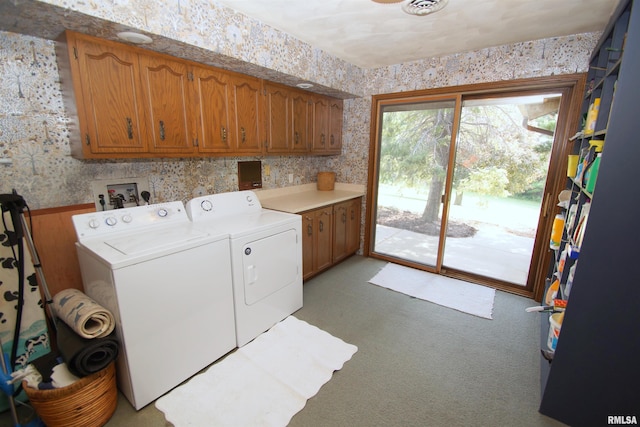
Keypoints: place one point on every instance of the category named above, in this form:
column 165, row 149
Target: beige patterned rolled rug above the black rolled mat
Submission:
column 82, row 314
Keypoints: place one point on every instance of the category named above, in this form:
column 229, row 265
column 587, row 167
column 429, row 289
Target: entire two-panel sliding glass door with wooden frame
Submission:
column 459, row 183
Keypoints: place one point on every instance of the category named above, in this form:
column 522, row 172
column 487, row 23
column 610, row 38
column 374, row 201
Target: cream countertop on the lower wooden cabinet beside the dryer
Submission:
column 300, row 198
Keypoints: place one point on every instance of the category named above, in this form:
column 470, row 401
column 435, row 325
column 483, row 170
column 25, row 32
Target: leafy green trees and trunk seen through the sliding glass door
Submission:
column 495, row 155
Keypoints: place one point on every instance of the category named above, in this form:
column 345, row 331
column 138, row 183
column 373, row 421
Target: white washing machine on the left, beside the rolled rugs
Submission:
column 169, row 287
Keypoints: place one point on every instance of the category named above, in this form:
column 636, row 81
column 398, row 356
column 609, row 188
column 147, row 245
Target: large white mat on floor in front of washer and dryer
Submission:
column 264, row 383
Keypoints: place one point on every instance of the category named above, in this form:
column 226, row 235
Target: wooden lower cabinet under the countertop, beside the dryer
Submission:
column 329, row 235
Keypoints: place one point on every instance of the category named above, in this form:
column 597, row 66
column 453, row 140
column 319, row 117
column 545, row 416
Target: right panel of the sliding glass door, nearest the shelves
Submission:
column 500, row 170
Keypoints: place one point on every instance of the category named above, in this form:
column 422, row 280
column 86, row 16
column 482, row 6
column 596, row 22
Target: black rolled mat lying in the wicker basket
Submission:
column 85, row 356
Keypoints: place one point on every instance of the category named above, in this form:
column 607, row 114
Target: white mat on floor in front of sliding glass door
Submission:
column 452, row 293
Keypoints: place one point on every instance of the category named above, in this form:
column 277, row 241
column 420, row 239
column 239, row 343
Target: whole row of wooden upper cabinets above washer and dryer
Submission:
column 135, row 103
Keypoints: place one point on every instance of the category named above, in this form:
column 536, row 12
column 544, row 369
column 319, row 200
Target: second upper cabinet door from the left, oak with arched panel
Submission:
column 166, row 92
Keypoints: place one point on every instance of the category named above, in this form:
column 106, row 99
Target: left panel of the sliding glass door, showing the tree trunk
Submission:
column 415, row 153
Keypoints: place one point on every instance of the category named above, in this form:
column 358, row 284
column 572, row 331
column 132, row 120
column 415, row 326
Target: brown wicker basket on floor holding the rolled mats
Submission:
column 89, row 402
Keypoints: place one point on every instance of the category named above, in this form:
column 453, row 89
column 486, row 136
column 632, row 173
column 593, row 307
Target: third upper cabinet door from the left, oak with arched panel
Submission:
column 212, row 96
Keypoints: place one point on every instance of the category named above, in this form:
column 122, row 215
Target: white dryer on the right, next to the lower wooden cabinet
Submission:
column 266, row 257
